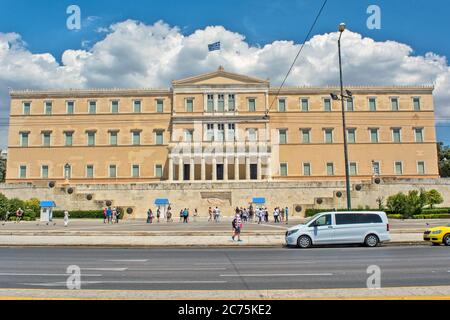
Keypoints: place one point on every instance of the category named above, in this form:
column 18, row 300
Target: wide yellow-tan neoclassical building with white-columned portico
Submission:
column 217, row 127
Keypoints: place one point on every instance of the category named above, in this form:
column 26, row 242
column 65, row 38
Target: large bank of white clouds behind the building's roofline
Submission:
column 134, row 54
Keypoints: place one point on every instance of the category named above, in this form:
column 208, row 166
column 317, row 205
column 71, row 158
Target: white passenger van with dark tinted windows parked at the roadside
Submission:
column 340, row 227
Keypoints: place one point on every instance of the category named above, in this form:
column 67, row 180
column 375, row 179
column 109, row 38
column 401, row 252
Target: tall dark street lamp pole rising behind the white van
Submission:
column 344, row 97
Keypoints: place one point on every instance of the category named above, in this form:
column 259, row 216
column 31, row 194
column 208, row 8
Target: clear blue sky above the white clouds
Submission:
column 423, row 25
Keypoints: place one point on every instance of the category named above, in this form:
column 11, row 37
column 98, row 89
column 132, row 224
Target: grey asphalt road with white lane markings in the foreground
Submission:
column 223, row 269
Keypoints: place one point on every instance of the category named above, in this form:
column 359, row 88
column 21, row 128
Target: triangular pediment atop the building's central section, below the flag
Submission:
column 220, row 77
